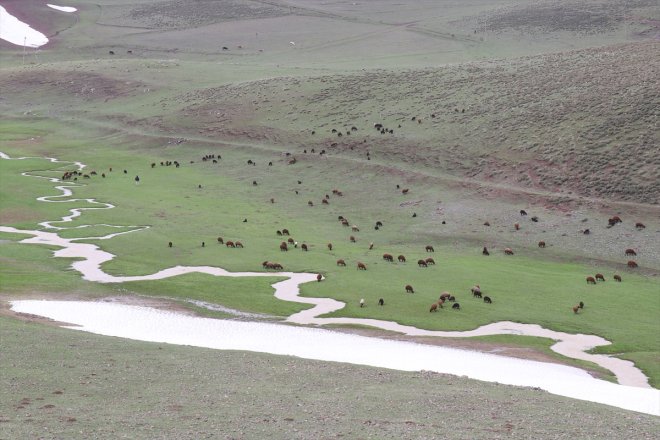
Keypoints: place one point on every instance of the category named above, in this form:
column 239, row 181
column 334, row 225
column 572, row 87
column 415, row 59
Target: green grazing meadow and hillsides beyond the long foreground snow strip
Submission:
column 515, row 107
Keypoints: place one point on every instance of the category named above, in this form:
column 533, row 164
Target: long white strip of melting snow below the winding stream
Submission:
column 149, row 324
